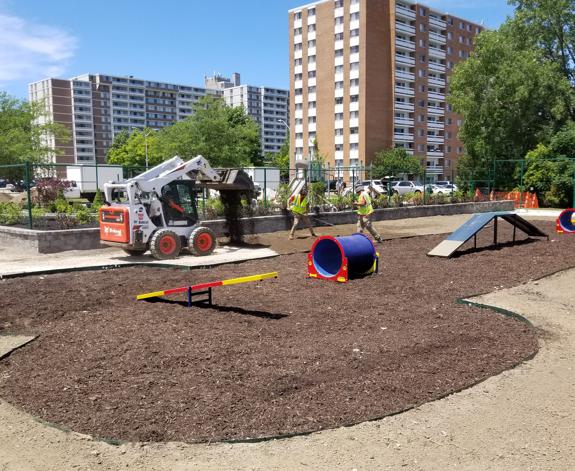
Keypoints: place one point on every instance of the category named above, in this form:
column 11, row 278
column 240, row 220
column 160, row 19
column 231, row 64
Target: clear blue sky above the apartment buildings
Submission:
column 169, row 40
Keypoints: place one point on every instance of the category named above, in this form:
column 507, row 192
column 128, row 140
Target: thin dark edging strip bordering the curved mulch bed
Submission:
column 461, row 301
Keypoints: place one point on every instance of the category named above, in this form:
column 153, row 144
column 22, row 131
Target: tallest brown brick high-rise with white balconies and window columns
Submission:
column 367, row 75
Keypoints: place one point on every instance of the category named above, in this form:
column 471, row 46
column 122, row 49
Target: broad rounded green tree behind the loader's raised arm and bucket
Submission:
column 226, row 136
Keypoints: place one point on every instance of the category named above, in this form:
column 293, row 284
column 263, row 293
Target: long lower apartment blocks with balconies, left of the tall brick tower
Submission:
column 96, row 107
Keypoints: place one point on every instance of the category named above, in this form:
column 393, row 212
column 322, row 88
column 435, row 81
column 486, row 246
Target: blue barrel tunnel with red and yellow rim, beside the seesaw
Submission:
column 342, row 258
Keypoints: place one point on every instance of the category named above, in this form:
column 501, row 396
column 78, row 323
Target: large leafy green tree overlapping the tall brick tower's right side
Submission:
column 510, row 98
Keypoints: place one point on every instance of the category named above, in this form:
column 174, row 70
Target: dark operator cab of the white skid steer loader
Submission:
column 179, row 203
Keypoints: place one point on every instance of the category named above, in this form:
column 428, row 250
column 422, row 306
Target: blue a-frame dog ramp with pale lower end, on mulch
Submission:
column 478, row 222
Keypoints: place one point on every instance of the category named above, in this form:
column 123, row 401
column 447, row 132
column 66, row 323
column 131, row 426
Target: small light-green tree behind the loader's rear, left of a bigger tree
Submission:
column 129, row 150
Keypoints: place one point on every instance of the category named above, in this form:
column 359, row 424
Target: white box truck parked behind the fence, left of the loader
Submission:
column 84, row 179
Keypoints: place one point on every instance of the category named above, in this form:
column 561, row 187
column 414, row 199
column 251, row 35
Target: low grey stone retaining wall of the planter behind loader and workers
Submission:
column 86, row 239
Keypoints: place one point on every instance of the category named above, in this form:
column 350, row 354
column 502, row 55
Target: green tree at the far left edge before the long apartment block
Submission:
column 22, row 137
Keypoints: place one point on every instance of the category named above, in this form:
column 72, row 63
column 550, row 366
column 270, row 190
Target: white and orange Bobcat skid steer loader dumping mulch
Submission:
column 157, row 210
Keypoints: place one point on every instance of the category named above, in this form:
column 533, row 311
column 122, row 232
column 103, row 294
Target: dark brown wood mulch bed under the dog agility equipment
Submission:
column 284, row 356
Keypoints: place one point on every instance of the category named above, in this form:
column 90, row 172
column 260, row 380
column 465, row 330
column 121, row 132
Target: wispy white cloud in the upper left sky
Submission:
column 30, row 51
